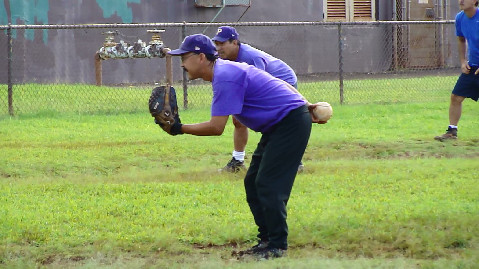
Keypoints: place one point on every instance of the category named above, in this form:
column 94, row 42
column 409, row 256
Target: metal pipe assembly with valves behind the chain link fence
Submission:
column 122, row 50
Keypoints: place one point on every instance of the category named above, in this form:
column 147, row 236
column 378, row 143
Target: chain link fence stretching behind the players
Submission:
column 341, row 63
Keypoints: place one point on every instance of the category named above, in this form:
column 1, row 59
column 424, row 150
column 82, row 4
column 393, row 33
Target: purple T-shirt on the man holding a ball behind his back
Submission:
column 254, row 97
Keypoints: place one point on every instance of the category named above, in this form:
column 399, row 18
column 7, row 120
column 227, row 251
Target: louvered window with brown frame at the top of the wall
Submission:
column 349, row 10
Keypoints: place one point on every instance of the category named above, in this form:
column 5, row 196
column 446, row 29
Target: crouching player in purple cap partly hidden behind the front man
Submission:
column 230, row 48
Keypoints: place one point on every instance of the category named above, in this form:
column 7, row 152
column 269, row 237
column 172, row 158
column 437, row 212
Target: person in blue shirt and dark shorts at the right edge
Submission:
column 467, row 85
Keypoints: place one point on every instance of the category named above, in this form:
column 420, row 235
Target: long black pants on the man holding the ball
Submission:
column 271, row 175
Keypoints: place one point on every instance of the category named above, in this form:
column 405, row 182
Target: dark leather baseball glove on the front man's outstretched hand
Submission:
column 164, row 109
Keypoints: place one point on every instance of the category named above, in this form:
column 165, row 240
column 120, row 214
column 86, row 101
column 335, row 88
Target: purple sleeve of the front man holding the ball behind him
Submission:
column 228, row 98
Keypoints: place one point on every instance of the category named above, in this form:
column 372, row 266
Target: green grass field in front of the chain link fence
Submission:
column 114, row 191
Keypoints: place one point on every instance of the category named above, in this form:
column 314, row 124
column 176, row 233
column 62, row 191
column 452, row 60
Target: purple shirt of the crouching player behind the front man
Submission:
column 266, row 62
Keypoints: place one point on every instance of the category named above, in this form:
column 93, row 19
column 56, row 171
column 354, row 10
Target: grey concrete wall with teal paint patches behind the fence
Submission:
column 67, row 55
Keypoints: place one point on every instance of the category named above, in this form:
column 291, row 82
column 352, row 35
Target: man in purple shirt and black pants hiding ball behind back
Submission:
column 264, row 104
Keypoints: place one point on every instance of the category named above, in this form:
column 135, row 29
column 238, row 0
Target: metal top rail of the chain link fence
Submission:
column 203, row 24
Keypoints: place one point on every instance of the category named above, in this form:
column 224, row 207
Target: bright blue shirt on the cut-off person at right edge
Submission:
column 469, row 29
